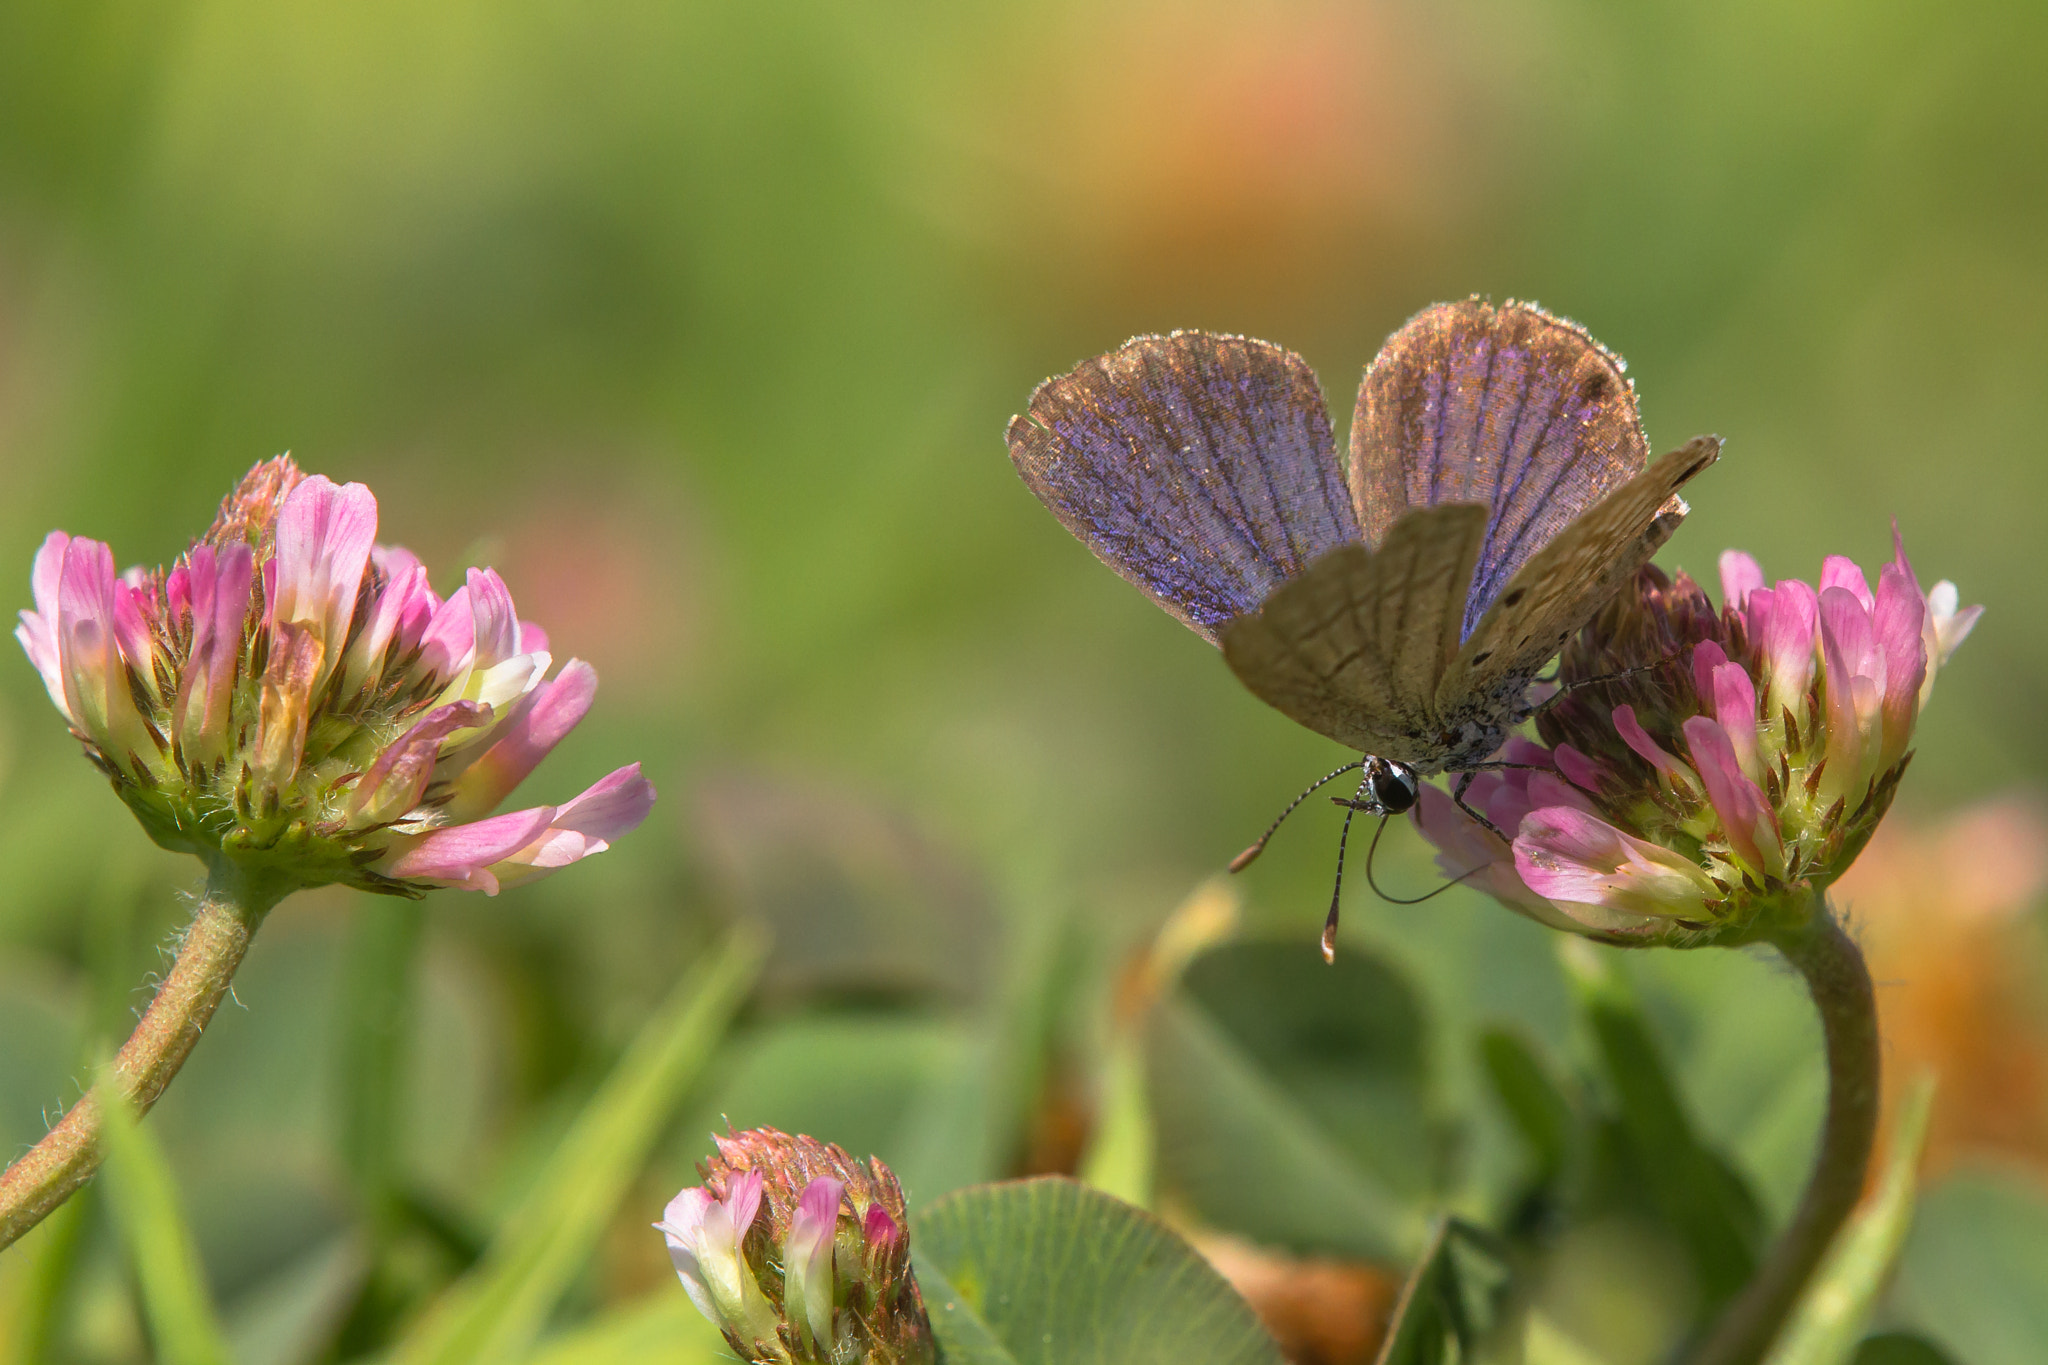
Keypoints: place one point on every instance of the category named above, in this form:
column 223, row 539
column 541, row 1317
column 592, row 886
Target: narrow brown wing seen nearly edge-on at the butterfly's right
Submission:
column 1572, row 578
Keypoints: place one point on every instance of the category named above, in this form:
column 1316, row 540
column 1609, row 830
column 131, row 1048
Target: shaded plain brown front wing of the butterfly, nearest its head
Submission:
column 1357, row 646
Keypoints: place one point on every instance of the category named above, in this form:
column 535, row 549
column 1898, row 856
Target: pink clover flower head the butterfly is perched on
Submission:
column 1709, row 764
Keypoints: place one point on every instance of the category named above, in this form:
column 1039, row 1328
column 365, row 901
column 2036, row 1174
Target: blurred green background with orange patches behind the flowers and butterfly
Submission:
column 703, row 320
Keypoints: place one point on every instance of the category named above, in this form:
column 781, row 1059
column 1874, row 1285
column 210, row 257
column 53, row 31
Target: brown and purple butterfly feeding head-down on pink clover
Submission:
column 1498, row 492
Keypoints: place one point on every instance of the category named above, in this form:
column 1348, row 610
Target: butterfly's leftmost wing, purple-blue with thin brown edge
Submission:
column 1201, row 468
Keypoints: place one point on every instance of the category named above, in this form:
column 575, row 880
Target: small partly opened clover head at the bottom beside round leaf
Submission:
column 798, row 1253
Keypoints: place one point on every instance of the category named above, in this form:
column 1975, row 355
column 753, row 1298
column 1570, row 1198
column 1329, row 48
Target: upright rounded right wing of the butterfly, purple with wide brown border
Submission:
column 1508, row 408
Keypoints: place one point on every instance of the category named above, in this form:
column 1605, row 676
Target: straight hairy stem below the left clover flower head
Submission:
column 208, row 959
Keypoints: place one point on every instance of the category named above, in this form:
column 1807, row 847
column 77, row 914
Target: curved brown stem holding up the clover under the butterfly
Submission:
column 1840, row 985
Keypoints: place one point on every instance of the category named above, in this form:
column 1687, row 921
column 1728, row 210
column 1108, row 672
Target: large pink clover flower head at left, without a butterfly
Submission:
column 294, row 699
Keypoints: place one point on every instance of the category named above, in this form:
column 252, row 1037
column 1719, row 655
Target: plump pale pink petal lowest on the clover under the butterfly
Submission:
column 1580, row 861
